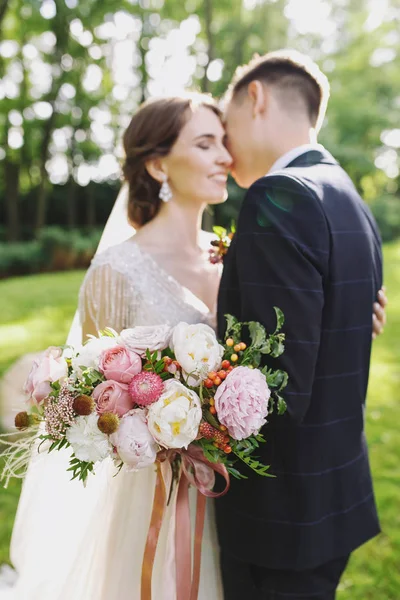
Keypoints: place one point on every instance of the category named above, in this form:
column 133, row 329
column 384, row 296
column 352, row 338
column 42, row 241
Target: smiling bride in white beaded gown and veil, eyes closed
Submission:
column 71, row 543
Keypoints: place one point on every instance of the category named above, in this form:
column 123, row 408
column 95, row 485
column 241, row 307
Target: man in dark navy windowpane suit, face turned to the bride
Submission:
column 307, row 243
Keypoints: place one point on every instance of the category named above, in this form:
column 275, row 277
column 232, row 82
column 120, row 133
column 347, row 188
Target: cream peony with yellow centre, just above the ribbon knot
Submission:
column 174, row 419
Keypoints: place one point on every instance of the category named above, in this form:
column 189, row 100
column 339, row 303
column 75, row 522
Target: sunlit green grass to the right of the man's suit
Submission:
column 373, row 572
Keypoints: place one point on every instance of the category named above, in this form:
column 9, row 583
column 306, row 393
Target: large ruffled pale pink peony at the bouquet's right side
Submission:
column 241, row 402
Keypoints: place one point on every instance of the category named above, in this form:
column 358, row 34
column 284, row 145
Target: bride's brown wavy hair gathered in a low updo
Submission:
column 152, row 132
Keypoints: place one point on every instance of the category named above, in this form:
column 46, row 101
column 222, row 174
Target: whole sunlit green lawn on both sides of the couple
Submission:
column 37, row 312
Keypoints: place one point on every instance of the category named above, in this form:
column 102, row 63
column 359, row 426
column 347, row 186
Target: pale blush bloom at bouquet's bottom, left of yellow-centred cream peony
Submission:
column 135, row 444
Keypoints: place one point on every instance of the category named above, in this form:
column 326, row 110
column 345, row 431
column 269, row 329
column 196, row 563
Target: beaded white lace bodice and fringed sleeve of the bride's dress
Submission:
column 125, row 286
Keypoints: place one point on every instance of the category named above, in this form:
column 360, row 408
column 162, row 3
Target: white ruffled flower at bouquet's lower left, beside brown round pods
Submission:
column 87, row 441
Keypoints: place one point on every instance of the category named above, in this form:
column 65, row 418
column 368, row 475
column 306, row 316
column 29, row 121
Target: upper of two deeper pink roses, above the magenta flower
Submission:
column 120, row 364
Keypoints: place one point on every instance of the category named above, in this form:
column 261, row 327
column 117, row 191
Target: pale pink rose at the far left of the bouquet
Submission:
column 49, row 367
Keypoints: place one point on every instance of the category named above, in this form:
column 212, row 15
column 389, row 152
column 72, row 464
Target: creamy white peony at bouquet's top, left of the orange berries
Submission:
column 197, row 351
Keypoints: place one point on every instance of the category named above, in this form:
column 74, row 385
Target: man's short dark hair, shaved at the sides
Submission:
column 293, row 74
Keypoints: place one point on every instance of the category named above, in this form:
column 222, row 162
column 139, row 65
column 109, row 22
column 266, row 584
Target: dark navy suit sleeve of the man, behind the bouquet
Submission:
column 283, row 257
